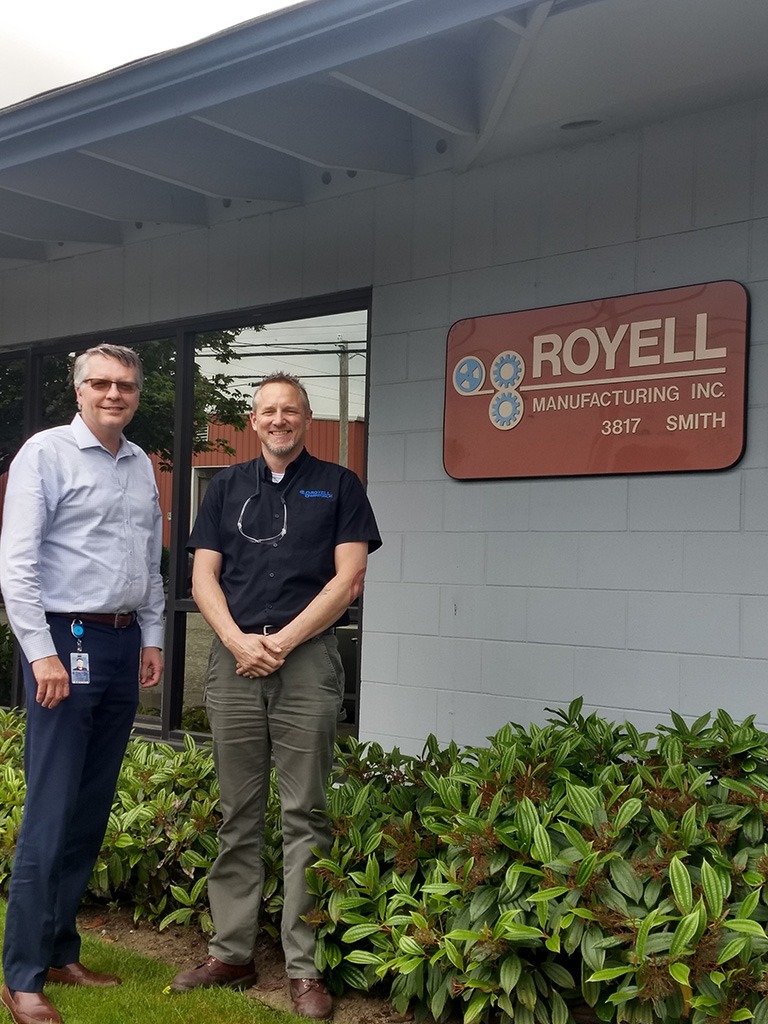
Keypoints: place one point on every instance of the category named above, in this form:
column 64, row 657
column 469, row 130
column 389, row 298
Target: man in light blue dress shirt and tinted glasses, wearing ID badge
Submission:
column 80, row 575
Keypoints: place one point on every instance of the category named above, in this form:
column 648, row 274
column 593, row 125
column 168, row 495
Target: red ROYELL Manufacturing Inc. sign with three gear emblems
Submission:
column 651, row 383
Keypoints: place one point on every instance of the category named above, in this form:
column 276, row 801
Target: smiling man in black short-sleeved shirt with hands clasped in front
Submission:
column 281, row 548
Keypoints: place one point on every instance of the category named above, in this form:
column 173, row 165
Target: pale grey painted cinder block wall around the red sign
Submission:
column 493, row 602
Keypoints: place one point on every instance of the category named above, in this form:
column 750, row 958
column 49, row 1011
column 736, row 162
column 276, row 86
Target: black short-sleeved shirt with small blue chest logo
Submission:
column 272, row 582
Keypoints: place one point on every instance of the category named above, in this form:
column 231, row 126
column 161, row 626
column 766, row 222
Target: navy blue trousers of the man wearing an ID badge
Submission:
column 73, row 754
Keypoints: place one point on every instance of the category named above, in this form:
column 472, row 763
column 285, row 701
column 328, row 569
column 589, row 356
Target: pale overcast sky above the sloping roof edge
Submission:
column 46, row 45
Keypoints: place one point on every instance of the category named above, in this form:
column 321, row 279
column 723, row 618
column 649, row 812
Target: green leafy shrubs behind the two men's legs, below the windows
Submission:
column 161, row 839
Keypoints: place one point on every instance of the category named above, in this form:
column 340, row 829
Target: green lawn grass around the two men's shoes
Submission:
column 142, row 997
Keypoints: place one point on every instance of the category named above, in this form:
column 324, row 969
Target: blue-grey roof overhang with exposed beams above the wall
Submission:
column 332, row 97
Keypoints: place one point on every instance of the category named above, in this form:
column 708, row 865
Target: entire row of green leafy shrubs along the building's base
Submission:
column 580, row 863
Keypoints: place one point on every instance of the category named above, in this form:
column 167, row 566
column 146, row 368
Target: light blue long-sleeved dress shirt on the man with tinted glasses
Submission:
column 82, row 532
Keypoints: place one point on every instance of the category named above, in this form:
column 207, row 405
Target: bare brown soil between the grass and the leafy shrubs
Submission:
column 186, row 948
